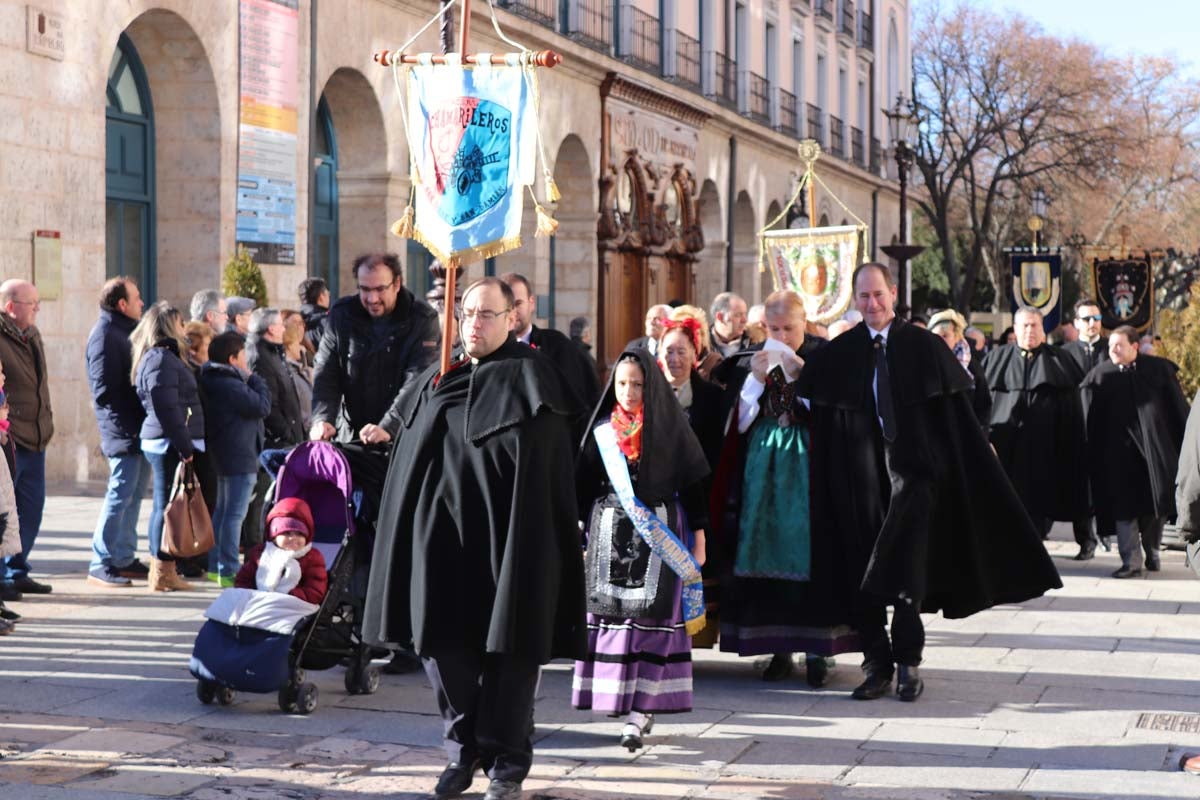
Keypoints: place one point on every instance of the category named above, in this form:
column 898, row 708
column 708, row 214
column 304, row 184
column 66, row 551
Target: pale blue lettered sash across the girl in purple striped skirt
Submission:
column 662, row 540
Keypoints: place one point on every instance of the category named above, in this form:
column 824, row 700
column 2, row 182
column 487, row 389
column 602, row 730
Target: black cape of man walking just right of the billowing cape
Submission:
column 1037, row 428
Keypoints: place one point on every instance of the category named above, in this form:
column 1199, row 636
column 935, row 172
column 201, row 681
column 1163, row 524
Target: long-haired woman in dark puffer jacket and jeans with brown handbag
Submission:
column 175, row 426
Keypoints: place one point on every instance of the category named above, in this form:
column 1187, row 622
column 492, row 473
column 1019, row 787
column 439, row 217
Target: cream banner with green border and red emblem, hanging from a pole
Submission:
column 818, row 264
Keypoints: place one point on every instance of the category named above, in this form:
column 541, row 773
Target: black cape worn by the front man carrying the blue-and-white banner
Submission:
column 477, row 544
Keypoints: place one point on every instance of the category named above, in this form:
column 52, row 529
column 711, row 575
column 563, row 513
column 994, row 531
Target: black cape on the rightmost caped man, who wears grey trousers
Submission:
column 1136, row 422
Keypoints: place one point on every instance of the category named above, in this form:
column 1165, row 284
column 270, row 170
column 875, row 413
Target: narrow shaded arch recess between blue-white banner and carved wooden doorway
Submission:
column 574, row 251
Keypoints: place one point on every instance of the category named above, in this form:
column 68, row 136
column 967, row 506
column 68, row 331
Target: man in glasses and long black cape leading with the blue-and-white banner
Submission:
column 478, row 554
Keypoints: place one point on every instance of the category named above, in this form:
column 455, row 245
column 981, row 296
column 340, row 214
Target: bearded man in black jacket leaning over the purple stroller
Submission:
column 374, row 346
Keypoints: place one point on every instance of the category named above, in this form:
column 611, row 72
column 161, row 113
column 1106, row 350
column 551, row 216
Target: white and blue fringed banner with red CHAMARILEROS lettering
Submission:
column 472, row 131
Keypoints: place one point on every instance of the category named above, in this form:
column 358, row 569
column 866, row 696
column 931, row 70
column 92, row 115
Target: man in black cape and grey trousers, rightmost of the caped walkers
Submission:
column 1136, row 419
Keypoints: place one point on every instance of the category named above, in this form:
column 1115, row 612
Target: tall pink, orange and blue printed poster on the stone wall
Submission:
column 267, row 130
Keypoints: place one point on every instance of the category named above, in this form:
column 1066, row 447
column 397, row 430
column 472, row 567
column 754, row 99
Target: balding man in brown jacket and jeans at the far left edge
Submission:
column 32, row 423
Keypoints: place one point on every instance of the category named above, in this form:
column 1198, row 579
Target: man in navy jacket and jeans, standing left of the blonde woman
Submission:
column 119, row 417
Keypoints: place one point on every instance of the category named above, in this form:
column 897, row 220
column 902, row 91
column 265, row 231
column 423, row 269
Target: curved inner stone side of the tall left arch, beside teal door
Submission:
column 188, row 154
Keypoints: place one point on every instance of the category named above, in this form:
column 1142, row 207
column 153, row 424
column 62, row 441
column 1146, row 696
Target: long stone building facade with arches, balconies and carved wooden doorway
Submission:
column 671, row 133
